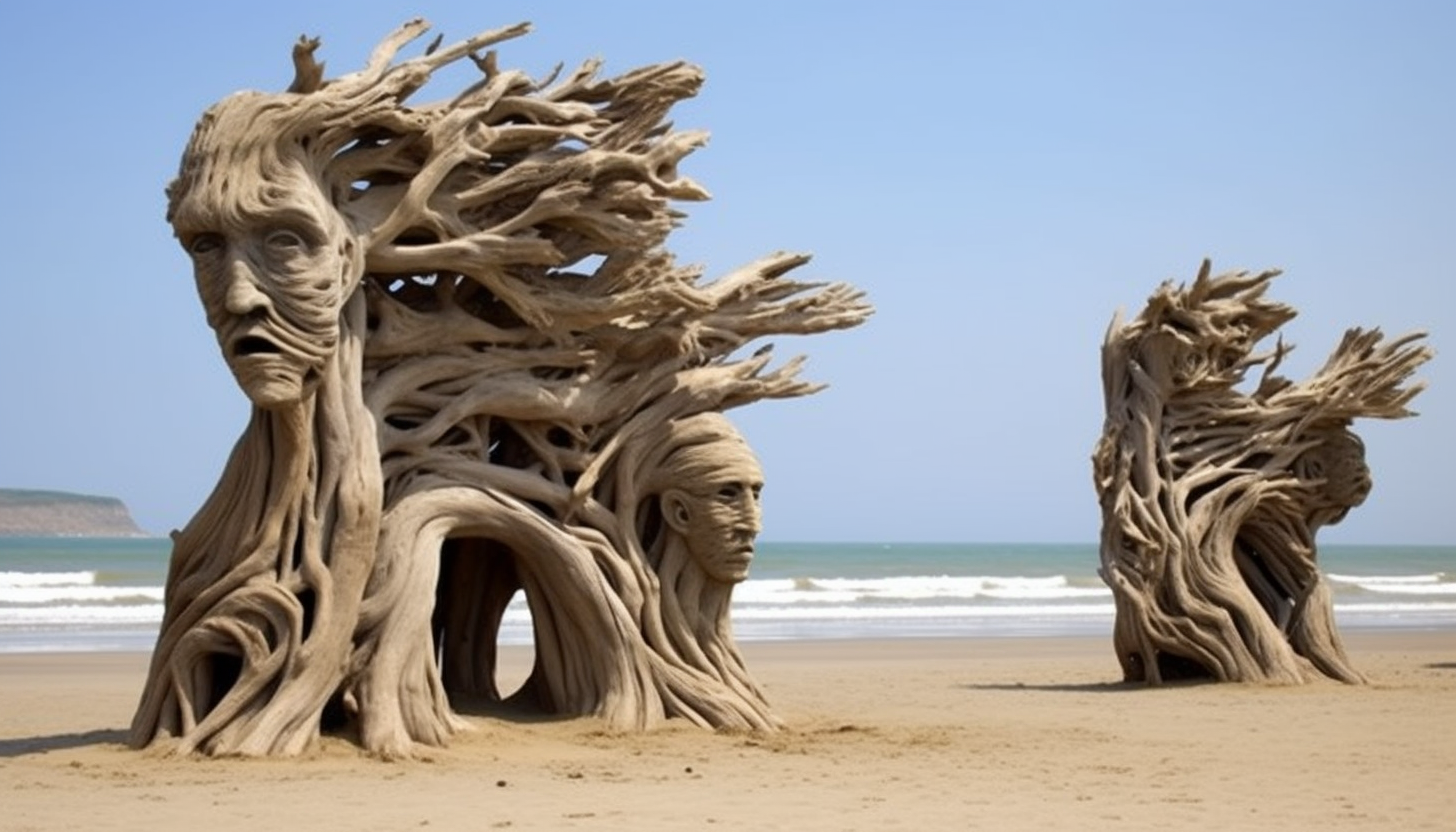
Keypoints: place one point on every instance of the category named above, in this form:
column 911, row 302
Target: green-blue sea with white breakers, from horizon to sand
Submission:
column 79, row 594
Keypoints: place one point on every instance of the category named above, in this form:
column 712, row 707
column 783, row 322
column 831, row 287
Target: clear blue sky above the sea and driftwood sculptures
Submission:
column 1000, row 177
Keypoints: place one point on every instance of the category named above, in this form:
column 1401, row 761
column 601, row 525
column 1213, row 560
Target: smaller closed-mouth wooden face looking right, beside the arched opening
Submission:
column 713, row 502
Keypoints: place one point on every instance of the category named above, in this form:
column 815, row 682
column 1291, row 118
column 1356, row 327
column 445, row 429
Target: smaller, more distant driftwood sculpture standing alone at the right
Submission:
column 1212, row 496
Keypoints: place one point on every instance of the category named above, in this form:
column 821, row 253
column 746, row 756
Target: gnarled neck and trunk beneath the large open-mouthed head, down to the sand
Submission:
column 267, row 581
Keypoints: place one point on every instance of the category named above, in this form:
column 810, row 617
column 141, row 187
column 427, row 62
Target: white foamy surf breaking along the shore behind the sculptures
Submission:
column 65, row 610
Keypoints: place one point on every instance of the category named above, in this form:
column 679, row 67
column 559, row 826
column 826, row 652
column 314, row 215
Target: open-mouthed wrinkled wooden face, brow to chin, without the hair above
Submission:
column 273, row 263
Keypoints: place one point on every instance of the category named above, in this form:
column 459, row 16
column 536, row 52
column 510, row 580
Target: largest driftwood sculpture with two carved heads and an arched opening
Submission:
column 474, row 371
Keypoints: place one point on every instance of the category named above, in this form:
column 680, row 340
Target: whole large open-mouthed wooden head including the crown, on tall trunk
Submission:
column 272, row 257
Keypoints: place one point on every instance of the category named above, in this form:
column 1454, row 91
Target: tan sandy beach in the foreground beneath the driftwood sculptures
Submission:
column 1007, row 734
